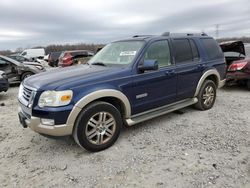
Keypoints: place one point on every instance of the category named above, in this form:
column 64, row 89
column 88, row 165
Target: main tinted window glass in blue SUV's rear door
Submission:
column 183, row 52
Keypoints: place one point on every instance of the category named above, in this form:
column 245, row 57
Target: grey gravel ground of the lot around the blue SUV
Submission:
column 195, row 149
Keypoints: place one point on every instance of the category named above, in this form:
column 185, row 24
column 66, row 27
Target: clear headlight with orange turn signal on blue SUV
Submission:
column 55, row 98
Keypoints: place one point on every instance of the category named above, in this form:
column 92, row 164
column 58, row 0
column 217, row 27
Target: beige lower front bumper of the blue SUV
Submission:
column 35, row 124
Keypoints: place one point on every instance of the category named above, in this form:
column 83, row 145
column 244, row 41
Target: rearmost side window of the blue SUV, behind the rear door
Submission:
column 212, row 48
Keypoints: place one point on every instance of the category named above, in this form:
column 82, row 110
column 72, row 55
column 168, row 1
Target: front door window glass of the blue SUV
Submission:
column 159, row 51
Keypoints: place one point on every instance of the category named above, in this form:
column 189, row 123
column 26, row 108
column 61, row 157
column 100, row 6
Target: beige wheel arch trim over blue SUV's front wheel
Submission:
column 97, row 95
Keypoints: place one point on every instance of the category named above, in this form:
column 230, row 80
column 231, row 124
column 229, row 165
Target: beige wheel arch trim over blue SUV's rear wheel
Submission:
column 211, row 74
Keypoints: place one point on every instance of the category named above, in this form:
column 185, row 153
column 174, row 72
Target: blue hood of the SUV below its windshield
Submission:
column 65, row 78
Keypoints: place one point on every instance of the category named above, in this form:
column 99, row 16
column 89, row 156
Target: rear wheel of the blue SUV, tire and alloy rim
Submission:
column 206, row 96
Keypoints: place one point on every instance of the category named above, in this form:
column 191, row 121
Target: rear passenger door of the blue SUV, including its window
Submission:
column 188, row 67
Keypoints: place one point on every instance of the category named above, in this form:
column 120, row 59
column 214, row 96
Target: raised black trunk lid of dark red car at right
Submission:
column 233, row 46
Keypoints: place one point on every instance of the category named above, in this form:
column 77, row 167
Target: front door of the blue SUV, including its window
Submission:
column 155, row 88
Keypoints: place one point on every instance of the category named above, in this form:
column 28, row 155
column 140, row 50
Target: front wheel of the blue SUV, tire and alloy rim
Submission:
column 91, row 131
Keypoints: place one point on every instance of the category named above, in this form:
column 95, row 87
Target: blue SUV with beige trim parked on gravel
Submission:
column 127, row 82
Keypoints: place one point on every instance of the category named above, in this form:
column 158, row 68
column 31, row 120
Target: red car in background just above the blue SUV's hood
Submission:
column 69, row 58
